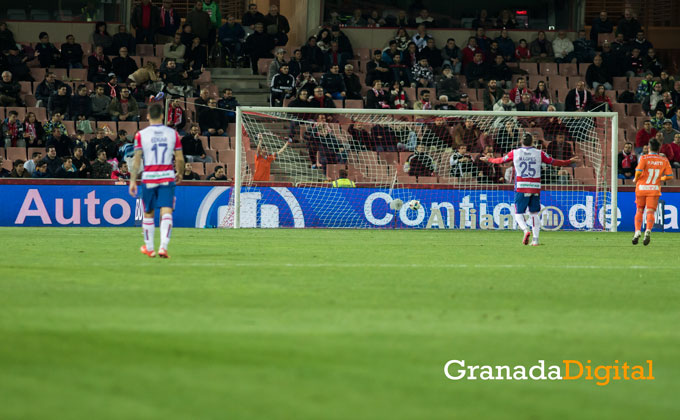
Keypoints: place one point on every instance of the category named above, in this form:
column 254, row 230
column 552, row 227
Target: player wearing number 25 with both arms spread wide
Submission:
column 527, row 162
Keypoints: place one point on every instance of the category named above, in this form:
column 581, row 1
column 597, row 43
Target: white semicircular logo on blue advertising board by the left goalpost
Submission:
column 259, row 208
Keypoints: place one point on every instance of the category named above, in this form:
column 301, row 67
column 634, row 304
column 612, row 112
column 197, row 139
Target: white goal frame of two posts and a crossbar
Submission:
column 238, row 181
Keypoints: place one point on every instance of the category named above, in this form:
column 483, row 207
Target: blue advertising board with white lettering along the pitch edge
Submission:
column 206, row 204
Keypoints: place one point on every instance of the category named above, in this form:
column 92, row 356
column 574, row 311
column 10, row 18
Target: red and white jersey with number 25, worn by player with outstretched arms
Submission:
column 527, row 162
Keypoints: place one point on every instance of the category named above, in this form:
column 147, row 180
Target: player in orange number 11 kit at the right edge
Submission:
column 652, row 169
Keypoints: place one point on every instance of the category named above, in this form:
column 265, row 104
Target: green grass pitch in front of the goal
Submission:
column 321, row 324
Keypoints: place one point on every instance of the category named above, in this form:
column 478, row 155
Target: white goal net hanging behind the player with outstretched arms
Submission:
column 358, row 168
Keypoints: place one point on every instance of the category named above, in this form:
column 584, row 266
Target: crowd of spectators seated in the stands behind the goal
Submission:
column 107, row 82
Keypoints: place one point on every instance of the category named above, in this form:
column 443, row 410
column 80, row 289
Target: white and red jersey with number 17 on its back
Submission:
column 158, row 144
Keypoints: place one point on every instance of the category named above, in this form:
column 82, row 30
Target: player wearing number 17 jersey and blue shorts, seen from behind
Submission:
column 157, row 145
